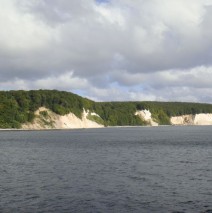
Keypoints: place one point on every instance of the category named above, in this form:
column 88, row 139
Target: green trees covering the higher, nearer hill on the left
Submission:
column 18, row 107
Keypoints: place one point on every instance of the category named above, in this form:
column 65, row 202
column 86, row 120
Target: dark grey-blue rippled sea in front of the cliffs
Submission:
column 162, row 169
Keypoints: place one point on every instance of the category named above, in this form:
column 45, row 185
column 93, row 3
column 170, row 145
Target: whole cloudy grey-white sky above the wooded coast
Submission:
column 109, row 50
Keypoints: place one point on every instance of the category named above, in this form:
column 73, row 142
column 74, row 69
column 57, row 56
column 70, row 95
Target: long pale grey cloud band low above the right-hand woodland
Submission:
column 198, row 77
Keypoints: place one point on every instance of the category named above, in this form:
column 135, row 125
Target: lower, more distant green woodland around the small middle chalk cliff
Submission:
column 122, row 113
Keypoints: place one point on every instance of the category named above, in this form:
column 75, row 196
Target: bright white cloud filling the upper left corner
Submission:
column 21, row 31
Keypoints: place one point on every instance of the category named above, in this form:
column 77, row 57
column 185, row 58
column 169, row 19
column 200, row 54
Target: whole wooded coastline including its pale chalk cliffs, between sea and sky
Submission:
column 65, row 110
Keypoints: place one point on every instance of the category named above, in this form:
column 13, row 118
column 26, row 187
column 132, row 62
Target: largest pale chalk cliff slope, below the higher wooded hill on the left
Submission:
column 46, row 119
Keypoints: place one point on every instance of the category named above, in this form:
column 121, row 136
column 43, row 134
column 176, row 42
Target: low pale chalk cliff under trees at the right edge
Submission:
column 198, row 119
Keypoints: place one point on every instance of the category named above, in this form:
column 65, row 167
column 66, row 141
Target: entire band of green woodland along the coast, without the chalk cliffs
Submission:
column 18, row 107
